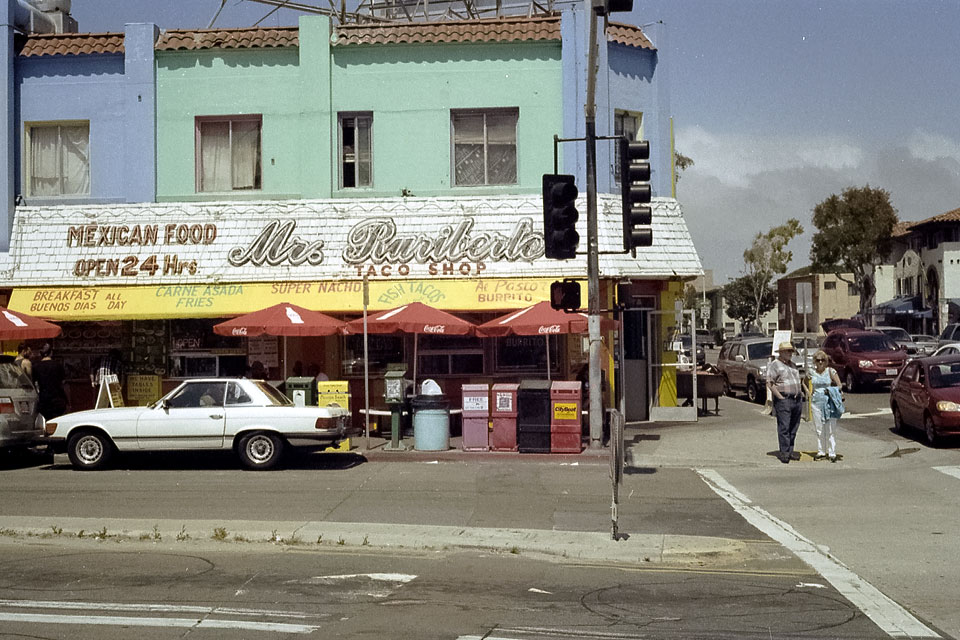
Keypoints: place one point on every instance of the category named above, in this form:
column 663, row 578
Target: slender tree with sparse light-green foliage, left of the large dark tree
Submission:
column 766, row 258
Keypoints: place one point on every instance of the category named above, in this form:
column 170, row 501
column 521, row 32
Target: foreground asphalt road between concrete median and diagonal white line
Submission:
column 105, row 590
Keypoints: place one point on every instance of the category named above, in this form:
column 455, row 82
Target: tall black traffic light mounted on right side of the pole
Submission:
column 635, row 187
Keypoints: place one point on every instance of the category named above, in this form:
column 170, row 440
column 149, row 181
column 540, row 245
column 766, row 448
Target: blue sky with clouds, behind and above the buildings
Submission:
column 780, row 103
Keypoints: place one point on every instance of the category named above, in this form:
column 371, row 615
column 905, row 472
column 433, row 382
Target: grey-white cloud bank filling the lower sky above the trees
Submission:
column 742, row 185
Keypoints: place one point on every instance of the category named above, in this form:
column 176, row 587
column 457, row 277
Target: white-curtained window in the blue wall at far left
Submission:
column 58, row 161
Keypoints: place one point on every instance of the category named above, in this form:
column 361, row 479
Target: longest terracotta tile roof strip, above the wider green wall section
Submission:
column 496, row 30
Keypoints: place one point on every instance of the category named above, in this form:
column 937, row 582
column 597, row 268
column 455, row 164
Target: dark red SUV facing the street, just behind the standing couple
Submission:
column 863, row 357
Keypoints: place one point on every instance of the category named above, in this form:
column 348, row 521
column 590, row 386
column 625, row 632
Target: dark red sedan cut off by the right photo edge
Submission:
column 926, row 395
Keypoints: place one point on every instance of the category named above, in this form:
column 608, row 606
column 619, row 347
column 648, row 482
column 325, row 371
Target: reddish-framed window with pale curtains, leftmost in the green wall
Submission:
column 228, row 153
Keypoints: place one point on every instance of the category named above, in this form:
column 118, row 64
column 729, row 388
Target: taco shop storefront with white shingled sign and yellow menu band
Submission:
column 152, row 279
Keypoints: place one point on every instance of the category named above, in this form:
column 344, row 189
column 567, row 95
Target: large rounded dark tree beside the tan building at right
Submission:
column 854, row 232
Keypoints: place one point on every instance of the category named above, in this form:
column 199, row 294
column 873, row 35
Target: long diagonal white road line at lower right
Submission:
column 893, row 619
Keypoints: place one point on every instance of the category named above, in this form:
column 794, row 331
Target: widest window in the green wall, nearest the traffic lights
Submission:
column 485, row 147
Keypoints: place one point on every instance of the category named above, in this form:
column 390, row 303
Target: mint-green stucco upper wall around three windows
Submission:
column 410, row 90
